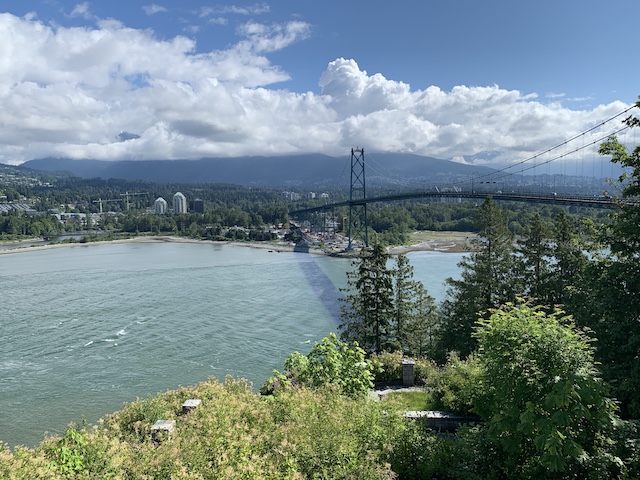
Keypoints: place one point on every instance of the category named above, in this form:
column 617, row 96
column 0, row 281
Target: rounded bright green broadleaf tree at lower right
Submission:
column 544, row 402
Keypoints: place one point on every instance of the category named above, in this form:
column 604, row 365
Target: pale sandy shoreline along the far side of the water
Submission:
column 443, row 242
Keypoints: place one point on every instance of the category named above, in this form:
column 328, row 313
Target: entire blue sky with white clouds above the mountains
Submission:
column 492, row 83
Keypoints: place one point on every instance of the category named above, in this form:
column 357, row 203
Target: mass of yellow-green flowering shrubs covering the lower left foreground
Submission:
column 234, row 434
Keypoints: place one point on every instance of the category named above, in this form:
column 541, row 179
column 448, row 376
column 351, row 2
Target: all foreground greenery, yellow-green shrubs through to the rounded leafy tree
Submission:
column 534, row 382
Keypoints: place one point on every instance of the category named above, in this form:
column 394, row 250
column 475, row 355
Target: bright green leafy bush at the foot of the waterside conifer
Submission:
column 330, row 362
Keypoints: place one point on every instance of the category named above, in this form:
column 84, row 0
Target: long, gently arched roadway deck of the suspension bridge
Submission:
column 585, row 201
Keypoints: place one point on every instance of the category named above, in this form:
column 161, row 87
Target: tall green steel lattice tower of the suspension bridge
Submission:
column 358, row 226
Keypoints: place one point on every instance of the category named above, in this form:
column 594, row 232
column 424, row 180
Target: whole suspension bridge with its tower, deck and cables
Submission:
column 466, row 190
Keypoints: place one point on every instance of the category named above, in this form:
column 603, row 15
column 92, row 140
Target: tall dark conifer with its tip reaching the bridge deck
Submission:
column 488, row 281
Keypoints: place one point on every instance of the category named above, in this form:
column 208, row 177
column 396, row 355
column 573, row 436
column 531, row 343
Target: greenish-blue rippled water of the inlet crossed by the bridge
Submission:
column 87, row 328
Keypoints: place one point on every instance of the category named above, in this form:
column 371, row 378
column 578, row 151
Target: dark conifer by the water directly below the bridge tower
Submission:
column 367, row 310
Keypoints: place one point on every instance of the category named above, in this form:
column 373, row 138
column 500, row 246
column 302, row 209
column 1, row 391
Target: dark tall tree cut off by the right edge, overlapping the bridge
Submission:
column 608, row 297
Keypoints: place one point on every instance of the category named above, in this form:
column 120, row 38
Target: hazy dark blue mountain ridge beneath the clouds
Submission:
column 293, row 170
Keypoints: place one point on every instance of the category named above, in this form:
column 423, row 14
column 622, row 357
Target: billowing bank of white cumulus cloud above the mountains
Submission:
column 78, row 92
